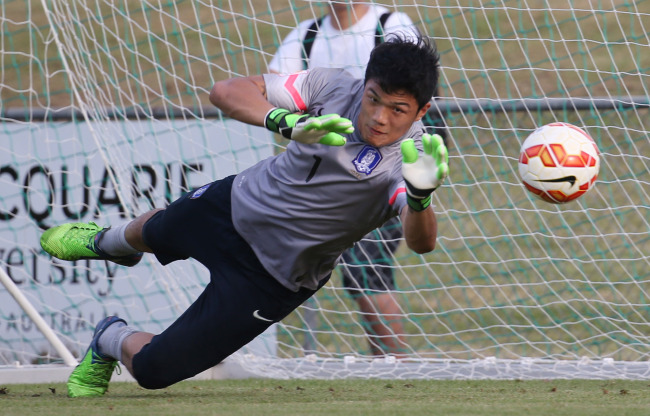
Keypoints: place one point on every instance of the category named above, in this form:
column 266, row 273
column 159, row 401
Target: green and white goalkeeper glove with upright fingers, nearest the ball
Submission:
column 425, row 172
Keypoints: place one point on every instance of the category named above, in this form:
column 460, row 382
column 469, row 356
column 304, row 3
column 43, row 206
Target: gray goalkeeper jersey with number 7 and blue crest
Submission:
column 301, row 209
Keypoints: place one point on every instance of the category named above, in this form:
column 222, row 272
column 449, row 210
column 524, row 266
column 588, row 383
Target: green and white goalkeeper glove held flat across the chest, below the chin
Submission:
column 309, row 129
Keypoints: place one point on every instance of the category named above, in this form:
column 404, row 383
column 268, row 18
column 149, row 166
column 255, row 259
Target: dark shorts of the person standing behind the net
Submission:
column 368, row 265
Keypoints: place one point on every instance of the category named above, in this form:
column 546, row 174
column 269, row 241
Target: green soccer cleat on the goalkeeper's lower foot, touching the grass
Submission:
column 90, row 378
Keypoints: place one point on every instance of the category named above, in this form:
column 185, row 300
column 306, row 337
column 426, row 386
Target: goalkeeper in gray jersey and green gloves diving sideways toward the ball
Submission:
column 271, row 235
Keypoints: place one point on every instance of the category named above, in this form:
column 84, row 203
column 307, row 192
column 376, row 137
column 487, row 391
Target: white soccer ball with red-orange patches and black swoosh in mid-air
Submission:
column 559, row 162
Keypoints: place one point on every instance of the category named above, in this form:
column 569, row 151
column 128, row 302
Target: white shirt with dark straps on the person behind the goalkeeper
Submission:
column 332, row 48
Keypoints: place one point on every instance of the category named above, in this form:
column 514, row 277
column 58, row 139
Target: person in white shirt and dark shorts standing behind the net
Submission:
column 344, row 38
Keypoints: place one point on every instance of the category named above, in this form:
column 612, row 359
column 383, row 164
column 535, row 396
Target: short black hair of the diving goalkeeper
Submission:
column 404, row 64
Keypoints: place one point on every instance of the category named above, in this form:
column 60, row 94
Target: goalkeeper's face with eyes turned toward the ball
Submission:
column 384, row 118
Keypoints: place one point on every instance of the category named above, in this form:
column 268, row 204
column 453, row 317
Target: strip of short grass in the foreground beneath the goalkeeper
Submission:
column 341, row 397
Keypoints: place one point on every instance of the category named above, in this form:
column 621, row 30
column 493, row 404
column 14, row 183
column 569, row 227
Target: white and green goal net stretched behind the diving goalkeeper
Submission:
column 105, row 115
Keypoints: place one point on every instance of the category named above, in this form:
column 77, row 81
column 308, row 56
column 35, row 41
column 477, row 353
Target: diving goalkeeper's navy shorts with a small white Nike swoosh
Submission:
column 240, row 302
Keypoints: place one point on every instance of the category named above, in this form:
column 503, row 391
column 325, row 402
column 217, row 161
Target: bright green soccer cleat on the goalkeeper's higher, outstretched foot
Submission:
column 78, row 241
